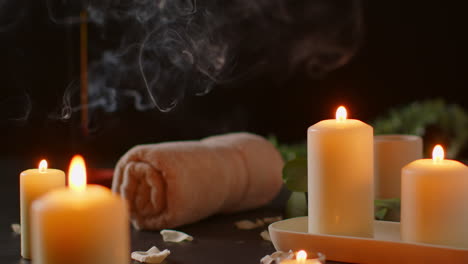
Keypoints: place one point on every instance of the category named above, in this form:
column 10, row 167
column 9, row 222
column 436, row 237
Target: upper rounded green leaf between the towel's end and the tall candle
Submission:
column 295, row 175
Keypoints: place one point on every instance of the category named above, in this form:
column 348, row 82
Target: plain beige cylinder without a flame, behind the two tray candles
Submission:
column 391, row 154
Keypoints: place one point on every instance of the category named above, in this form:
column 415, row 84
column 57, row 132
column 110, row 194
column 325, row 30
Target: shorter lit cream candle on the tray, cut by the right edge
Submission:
column 434, row 201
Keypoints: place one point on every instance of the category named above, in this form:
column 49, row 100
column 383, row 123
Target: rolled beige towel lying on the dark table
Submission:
column 176, row 183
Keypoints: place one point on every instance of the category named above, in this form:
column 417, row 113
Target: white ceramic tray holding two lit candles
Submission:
column 386, row 247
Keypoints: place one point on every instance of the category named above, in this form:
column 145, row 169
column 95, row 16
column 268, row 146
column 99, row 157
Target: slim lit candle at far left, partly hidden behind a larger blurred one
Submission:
column 34, row 183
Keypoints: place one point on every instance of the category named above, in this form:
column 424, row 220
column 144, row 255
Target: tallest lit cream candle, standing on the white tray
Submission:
column 340, row 177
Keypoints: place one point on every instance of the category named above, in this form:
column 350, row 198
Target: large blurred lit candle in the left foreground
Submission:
column 80, row 224
